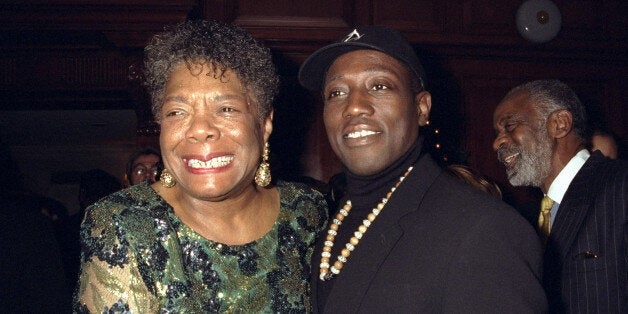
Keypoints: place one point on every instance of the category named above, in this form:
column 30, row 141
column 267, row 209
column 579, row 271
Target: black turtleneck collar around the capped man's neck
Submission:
column 365, row 191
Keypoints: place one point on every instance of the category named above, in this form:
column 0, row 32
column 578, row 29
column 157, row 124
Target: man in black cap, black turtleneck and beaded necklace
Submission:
column 408, row 237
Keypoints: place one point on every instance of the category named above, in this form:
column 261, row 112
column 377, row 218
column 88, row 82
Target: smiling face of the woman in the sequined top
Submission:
column 211, row 133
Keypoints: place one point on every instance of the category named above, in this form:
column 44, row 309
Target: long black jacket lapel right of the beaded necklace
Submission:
column 382, row 236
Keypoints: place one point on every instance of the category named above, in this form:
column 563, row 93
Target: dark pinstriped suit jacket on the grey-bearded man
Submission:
column 587, row 252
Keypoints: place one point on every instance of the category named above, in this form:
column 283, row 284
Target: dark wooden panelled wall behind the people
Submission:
column 62, row 54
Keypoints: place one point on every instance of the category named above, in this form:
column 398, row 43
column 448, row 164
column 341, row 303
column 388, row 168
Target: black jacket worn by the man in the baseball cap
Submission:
column 440, row 245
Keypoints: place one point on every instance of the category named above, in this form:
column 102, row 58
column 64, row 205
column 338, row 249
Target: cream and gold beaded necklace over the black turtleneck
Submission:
column 327, row 272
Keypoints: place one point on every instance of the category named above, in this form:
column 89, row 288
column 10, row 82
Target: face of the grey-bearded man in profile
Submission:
column 522, row 142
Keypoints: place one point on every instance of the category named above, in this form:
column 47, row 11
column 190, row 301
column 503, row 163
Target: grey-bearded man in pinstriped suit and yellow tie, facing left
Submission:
column 541, row 129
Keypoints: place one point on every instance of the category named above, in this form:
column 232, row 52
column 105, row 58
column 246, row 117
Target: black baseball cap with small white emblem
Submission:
column 389, row 41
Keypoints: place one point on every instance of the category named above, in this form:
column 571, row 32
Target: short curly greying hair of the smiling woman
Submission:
column 224, row 47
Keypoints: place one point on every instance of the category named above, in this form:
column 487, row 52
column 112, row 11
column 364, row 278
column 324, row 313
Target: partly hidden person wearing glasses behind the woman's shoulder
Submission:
column 143, row 165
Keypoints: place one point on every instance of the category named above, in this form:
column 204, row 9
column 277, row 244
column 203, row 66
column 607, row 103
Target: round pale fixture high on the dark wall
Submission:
column 538, row 20
